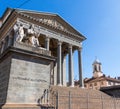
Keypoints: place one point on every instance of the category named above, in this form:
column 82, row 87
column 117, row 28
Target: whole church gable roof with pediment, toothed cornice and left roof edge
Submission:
column 50, row 21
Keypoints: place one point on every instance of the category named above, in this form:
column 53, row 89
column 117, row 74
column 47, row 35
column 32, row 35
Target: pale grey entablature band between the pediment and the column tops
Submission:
column 49, row 33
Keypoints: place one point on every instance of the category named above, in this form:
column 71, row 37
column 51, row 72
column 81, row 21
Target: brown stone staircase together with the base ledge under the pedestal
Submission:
column 71, row 98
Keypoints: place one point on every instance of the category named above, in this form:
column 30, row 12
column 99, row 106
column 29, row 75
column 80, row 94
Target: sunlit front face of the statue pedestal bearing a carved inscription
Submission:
column 29, row 77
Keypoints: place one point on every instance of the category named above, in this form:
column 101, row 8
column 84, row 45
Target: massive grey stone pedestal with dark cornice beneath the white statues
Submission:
column 25, row 75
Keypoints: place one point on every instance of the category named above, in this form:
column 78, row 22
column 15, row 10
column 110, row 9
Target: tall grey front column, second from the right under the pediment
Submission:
column 71, row 72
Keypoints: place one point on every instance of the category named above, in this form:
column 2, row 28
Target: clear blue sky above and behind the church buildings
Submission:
column 97, row 20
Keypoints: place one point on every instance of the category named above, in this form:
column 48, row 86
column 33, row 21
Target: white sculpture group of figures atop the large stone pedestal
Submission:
column 28, row 36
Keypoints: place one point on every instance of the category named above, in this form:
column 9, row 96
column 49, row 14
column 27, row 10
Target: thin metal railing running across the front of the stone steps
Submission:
column 75, row 101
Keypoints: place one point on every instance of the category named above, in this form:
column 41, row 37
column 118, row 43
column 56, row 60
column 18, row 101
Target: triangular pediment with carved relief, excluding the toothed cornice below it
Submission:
column 53, row 20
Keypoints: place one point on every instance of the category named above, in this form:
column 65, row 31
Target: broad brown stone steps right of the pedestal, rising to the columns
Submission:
column 80, row 98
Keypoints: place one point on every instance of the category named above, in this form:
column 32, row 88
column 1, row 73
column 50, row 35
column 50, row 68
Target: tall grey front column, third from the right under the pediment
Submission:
column 59, row 61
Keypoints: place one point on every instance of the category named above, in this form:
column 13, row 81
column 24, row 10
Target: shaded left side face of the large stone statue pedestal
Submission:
column 4, row 77
